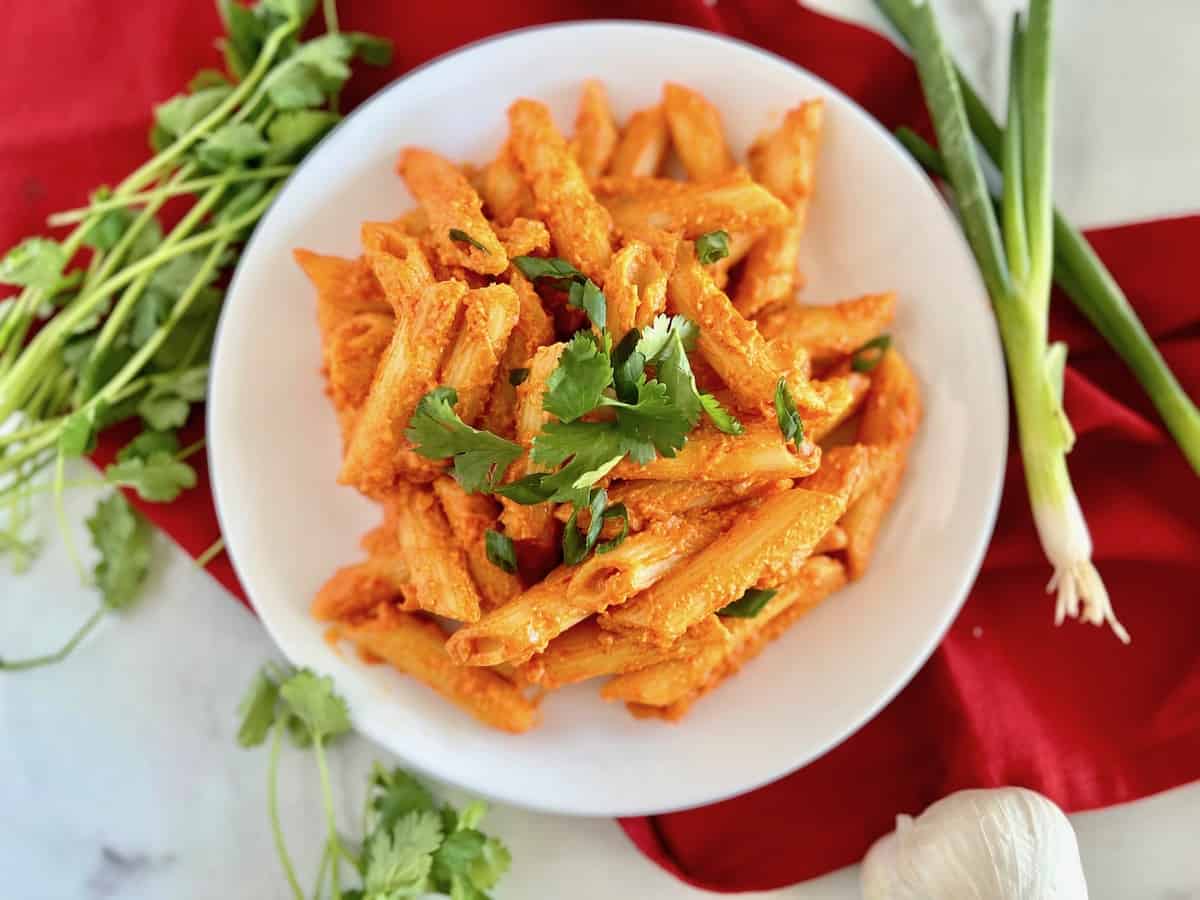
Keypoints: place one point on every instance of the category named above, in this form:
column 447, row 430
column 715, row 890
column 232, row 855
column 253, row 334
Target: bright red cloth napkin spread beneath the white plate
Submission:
column 1007, row 699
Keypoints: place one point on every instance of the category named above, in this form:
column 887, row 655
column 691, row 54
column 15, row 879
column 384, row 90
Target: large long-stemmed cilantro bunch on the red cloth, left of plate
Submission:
column 116, row 320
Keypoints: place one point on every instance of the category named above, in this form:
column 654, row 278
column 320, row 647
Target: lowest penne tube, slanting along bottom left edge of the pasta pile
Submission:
column 416, row 646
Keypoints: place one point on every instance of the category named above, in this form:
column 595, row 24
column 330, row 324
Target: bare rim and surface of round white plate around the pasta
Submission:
column 875, row 224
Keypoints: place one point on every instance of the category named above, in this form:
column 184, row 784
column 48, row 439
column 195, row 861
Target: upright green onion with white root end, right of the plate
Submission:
column 1017, row 259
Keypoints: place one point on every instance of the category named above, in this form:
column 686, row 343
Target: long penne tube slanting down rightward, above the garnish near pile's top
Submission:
column 579, row 225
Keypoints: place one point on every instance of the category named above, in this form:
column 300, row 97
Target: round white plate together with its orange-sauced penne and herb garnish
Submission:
column 711, row 515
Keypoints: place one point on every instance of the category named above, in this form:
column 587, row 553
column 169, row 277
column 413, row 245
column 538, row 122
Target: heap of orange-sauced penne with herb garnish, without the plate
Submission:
column 559, row 361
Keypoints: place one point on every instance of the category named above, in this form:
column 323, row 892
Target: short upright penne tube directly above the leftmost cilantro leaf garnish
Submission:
column 472, row 362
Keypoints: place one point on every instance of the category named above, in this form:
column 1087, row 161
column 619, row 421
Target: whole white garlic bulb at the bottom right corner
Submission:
column 1004, row 844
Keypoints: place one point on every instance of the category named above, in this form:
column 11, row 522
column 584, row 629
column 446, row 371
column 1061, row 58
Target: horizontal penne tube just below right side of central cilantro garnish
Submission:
column 760, row 454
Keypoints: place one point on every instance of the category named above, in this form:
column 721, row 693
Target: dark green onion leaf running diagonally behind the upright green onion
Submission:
column 1078, row 271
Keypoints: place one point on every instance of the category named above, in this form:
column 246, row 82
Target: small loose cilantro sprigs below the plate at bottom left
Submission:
column 410, row 845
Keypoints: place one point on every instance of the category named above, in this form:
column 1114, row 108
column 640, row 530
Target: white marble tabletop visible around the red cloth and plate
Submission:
column 121, row 776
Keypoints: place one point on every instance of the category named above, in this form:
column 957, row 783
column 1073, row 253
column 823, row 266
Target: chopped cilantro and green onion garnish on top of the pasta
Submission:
column 632, row 413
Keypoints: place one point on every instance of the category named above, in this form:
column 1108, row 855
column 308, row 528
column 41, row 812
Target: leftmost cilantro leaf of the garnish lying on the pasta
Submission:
column 436, row 433
